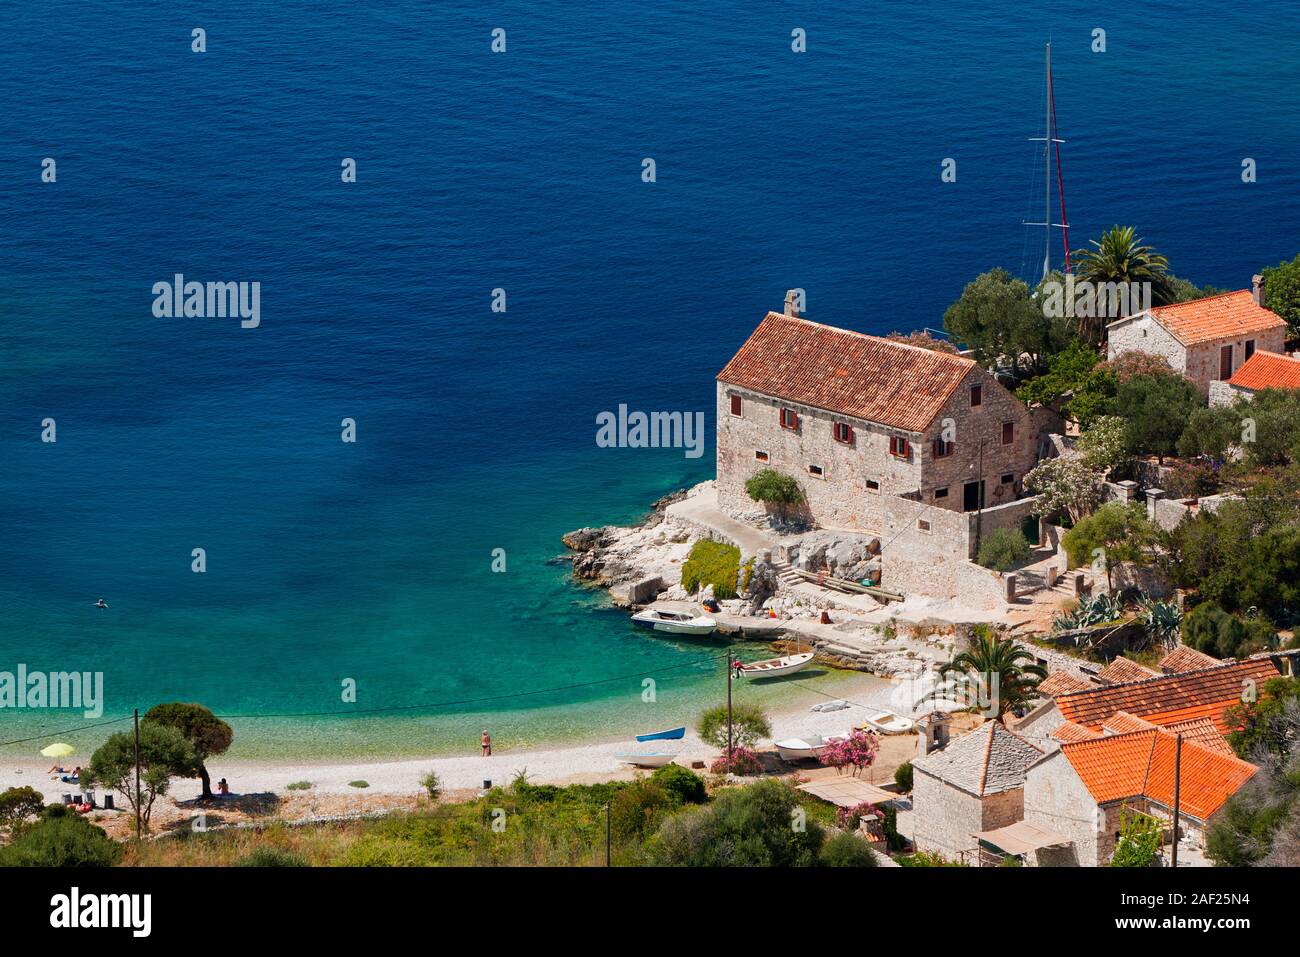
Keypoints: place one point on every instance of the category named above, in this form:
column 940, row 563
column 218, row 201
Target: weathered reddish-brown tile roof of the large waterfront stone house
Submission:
column 842, row 371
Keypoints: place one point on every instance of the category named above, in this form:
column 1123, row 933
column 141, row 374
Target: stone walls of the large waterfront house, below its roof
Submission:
column 846, row 483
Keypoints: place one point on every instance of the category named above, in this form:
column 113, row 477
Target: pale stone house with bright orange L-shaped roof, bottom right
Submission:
column 1084, row 790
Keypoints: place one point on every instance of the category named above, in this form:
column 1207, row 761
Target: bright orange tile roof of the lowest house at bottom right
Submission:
column 1142, row 765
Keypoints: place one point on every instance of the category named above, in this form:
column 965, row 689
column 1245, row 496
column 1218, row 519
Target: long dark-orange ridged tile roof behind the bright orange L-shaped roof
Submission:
column 1169, row 699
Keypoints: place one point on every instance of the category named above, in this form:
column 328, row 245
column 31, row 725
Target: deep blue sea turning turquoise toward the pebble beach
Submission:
column 518, row 171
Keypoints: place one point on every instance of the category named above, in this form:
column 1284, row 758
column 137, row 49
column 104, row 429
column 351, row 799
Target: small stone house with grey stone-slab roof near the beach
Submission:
column 974, row 785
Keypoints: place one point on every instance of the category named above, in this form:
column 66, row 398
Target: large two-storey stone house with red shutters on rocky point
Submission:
column 859, row 418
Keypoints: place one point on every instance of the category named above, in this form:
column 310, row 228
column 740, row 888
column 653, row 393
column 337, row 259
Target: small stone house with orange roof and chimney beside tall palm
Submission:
column 1206, row 340
